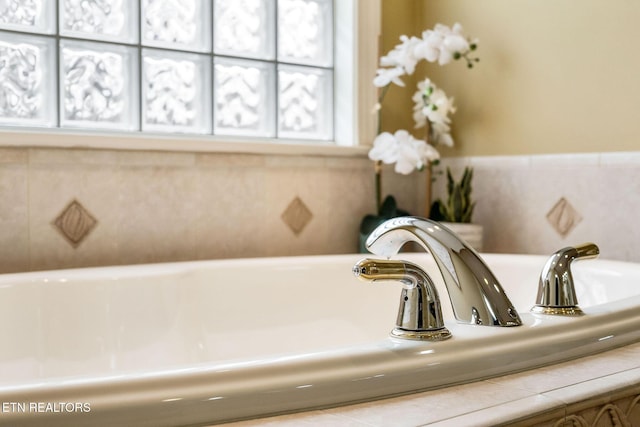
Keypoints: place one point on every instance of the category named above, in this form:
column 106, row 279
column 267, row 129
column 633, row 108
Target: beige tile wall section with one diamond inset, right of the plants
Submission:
column 519, row 200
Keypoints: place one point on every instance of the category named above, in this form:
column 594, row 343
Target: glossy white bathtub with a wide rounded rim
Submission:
column 203, row 342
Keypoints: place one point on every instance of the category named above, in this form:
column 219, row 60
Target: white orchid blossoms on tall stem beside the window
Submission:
column 432, row 107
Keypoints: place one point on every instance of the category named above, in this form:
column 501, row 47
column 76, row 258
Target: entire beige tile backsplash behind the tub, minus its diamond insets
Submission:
column 166, row 206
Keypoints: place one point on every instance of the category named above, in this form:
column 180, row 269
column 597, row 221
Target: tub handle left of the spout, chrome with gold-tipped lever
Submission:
column 420, row 312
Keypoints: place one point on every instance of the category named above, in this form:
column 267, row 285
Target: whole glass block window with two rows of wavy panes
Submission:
column 255, row 68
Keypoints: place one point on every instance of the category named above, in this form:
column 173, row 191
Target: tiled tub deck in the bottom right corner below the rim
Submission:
column 601, row 388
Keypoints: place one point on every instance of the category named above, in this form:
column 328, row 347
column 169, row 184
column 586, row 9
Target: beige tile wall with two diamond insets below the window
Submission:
column 165, row 206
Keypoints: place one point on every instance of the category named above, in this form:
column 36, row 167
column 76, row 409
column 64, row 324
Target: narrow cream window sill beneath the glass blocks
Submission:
column 83, row 139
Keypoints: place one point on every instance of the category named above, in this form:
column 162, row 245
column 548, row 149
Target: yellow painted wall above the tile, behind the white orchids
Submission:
column 555, row 76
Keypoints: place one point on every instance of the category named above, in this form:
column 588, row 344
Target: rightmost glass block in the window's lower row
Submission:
column 305, row 102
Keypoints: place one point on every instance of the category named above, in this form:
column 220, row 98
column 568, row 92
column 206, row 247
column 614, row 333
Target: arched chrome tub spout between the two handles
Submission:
column 476, row 295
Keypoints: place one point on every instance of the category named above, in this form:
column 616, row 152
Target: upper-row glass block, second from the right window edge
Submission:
column 244, row 28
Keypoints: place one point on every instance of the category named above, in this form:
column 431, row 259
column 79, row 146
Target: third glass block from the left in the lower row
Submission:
column 175, row 92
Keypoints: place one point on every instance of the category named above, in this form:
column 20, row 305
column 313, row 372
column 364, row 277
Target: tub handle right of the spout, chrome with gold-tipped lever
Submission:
column 556, row 292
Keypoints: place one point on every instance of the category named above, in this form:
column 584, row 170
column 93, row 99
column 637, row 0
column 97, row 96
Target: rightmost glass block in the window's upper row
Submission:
column 305, row 32
